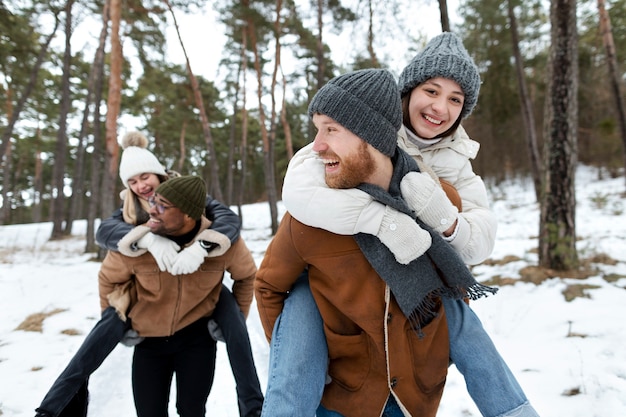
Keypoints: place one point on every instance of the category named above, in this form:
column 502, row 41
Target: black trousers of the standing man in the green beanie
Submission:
column 190, row 354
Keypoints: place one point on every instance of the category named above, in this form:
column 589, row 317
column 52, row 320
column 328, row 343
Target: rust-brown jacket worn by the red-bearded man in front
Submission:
column 373, row 349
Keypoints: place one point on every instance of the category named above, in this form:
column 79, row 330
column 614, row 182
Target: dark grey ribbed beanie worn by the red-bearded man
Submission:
column 366, row 102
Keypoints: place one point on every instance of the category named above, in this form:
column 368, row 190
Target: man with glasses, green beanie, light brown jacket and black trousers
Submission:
column 171, row 311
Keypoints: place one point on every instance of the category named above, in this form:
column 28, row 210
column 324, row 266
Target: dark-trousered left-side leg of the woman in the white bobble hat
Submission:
column 68, row 395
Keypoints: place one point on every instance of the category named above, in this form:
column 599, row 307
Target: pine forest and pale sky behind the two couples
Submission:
column 64, row 108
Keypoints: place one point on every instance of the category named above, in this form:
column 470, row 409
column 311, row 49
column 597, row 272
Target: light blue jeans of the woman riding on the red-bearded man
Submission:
column 489, row 380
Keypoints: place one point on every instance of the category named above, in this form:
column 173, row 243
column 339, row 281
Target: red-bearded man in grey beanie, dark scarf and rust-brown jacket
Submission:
column 384, row 323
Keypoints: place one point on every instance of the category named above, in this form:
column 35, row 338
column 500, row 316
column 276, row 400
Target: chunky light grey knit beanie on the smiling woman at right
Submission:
column 444, row 56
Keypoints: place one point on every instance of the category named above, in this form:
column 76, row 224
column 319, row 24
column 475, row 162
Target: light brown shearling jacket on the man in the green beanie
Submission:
column 166, row 303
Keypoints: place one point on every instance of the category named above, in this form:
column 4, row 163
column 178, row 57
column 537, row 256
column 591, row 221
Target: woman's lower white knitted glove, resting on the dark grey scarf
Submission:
column 403, row 236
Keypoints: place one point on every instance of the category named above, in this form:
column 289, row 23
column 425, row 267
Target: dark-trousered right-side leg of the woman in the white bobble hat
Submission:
column 233, row 325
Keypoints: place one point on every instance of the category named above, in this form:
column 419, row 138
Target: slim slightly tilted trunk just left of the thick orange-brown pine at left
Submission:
column 97, row 156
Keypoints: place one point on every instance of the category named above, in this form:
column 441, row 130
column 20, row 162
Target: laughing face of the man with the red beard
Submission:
column 347, row 159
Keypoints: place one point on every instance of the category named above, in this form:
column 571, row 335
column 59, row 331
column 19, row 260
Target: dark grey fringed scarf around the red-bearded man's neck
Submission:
column 439, row 272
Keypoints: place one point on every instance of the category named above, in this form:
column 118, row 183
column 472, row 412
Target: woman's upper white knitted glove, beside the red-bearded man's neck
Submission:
column 428, row 200
